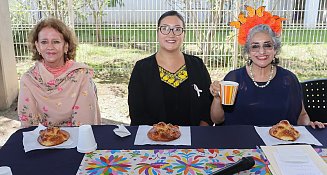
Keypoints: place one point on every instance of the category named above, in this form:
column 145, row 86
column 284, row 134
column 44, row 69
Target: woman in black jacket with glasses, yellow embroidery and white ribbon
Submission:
column 170, row 86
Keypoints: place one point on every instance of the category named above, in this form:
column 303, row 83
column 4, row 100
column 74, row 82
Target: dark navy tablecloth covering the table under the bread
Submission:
column 67, row 161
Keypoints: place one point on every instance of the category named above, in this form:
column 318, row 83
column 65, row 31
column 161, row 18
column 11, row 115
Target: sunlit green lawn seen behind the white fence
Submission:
column 113, row 65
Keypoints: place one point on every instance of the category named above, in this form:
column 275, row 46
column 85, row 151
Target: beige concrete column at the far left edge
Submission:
column 8, row 72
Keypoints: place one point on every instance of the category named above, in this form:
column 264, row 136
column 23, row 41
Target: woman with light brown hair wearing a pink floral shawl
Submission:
column 56, row 91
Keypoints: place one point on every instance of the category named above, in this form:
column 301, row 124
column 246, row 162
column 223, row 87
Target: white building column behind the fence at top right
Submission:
column 311, row 13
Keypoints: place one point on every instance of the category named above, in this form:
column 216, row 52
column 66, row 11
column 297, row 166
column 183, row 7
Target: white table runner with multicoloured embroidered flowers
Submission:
column 169, row 161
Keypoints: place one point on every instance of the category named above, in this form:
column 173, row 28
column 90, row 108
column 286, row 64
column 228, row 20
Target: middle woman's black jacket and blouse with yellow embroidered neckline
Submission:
column 150, row 98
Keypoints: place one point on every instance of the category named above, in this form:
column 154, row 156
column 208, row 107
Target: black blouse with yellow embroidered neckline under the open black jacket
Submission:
column 176, row 96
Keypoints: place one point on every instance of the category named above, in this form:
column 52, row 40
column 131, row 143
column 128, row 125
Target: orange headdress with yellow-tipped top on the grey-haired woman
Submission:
column 256, row 17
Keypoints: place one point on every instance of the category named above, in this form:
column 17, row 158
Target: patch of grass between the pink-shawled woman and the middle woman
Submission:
column 111, row 65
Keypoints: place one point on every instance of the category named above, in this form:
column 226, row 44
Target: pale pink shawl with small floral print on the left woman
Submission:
column 45, row 95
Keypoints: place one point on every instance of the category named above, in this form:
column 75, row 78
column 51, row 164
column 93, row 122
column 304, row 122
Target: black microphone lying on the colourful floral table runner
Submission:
column 243, row 164
